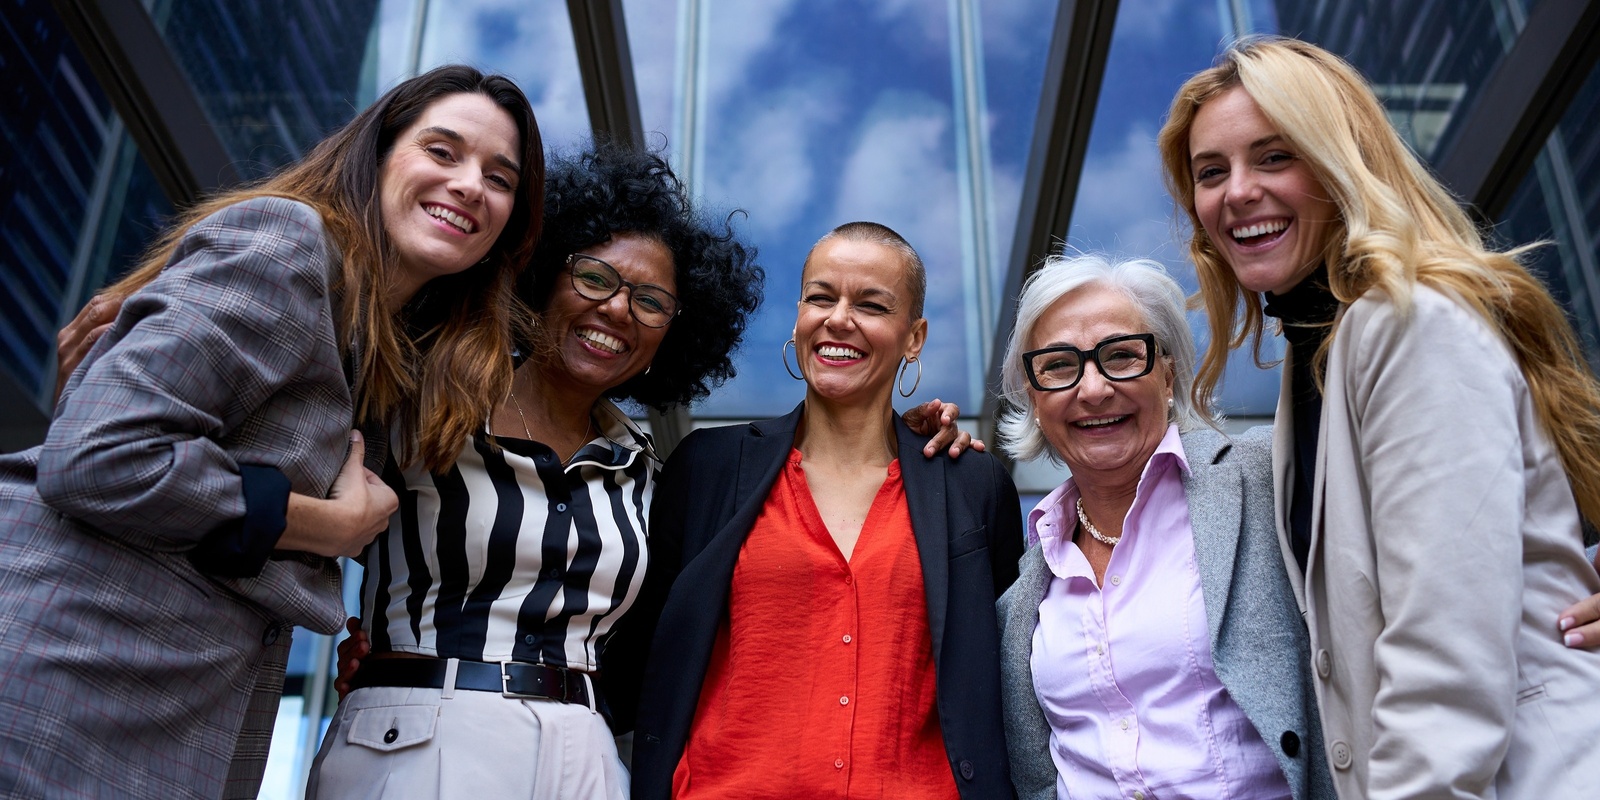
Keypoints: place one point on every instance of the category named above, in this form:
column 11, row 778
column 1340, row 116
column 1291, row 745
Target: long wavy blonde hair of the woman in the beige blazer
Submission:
column 1398, row 228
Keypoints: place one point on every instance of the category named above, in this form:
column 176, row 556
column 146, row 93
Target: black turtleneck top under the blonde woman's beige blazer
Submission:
column 1306, row 313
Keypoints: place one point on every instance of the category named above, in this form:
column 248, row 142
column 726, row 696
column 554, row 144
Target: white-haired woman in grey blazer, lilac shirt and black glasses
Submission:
column 1151, row 646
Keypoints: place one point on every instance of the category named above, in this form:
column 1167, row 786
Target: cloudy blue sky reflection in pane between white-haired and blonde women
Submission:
column 1122, row 206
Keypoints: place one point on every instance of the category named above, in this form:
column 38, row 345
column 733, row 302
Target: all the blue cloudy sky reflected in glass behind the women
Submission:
column 826, row 111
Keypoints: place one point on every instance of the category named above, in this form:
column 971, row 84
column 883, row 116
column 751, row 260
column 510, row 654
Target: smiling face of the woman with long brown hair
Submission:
column 449, row 188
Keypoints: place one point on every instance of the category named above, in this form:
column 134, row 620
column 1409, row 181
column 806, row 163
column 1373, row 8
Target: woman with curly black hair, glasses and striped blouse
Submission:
column 500, row 580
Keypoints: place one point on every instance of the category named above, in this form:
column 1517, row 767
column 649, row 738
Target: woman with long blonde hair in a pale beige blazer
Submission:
column 1436, row 439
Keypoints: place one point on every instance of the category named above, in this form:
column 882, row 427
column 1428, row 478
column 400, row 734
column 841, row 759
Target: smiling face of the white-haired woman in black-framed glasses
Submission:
column 1106, row 431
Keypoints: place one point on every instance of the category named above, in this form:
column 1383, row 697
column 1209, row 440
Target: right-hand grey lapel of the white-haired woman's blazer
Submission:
column 1217, row 498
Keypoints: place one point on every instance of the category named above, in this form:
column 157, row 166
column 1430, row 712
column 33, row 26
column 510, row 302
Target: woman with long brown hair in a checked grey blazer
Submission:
column 194, row 490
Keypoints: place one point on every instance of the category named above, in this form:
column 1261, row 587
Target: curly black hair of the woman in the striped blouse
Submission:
column 614, row 190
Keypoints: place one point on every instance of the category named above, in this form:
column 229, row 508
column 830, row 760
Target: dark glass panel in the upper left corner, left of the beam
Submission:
column 79, row 199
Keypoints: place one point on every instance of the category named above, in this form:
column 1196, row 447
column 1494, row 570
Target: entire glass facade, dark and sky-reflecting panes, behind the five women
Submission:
column 801, row 114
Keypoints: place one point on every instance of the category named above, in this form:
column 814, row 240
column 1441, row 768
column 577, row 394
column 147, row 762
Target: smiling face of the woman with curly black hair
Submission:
column 599, row 345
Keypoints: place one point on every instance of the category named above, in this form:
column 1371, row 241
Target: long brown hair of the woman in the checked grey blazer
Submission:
column 439, row 366
